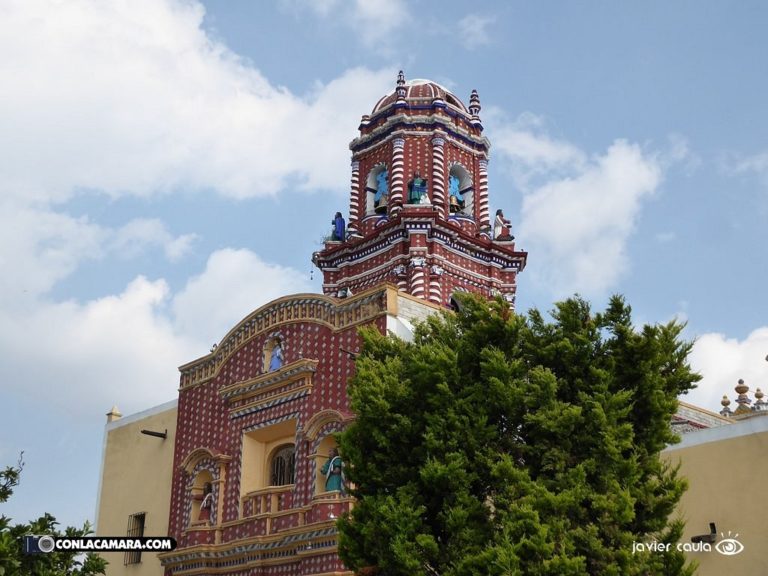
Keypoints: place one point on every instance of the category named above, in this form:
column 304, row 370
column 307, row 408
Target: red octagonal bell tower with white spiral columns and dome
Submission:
column 418, row 209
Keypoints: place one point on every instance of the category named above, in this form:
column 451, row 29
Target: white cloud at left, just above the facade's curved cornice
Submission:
column 125, row 348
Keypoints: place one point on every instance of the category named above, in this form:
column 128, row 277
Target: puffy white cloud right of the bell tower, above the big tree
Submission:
column 578, row 211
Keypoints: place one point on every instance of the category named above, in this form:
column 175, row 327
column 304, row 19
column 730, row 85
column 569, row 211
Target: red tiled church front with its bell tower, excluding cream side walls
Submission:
column 257, row 485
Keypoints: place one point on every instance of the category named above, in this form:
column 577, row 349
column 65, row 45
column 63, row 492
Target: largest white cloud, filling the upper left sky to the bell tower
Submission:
column 159, row 106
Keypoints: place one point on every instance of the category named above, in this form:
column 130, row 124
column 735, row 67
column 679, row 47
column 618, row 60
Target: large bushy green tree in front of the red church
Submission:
column 498, row 444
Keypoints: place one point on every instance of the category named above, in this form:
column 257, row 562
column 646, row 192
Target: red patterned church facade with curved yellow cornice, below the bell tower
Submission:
column 230, row 404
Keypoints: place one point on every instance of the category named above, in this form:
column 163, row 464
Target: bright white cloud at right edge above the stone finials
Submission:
column 723, row 361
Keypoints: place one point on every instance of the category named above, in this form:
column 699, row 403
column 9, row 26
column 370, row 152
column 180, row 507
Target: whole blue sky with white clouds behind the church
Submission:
column 166, row 167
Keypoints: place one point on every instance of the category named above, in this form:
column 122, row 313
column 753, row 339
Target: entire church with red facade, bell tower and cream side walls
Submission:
column 242, row 470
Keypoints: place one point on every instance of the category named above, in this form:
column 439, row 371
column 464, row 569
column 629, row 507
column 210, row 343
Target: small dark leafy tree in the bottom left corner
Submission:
column 13, row 560
